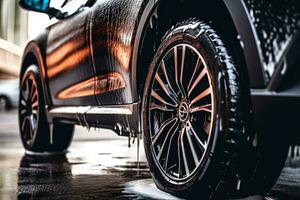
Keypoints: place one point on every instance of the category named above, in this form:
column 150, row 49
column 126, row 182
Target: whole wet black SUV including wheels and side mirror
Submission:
column 212, row 86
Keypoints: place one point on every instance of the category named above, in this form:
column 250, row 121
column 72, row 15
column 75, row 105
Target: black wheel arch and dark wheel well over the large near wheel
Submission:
column 157, row 19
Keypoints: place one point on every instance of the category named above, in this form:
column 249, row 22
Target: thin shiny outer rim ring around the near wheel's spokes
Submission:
column 200, row 164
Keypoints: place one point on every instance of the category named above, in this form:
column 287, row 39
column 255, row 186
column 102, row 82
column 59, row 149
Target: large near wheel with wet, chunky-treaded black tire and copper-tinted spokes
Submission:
column 218, row 171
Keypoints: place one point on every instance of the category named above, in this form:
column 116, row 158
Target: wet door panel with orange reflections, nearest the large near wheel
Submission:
column 113, row 24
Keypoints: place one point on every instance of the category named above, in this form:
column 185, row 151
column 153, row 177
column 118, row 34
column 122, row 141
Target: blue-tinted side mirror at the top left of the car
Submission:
column 35, row 5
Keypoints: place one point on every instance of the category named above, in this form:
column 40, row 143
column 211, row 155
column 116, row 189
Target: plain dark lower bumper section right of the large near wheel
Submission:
column 277, row 111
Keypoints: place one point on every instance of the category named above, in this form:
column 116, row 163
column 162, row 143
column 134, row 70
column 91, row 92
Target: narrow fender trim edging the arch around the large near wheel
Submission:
column 243, row 25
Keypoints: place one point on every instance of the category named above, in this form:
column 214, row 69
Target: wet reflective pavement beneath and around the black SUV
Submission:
column 98, row 165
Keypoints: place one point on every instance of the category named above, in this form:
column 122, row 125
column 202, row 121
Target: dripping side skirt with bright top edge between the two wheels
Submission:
column 123, row 119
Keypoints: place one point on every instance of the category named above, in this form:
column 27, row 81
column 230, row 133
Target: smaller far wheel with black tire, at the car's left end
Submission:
column 36, row 133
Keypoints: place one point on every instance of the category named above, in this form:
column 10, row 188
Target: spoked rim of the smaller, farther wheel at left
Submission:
column 27, row 139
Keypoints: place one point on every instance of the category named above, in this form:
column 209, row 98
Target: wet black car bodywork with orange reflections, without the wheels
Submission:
column 94, row 61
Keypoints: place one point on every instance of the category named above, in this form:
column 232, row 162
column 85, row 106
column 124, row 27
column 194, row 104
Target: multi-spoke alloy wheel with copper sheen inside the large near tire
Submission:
column 181, row 112
